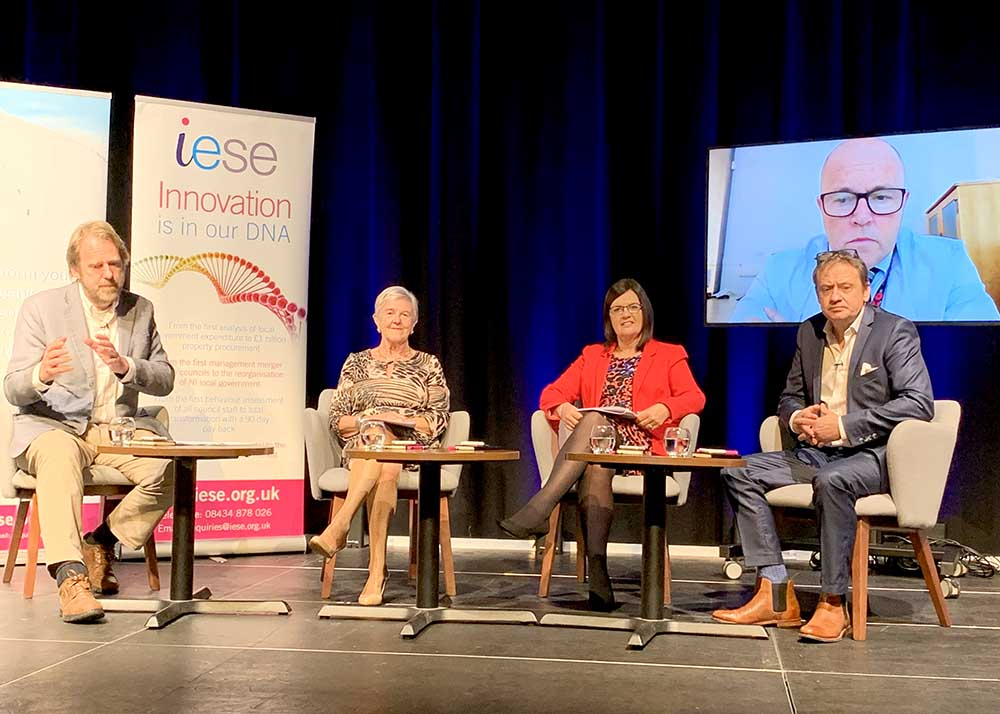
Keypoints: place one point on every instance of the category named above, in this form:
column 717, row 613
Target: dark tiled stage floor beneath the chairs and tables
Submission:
column 298, row 663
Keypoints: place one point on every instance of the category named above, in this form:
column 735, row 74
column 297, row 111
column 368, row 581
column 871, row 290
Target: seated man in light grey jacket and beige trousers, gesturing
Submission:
column 82, row 354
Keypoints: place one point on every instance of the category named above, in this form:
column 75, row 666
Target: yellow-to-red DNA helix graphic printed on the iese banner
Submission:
column 235, row 280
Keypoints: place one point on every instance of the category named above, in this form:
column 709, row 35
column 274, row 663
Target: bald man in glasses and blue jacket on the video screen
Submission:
column 862, row 195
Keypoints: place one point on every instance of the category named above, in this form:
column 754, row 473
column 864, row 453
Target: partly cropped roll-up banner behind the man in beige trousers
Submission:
column 53, row 177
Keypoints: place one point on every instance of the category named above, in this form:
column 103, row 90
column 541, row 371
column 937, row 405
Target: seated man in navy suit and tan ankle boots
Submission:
column 857, row 372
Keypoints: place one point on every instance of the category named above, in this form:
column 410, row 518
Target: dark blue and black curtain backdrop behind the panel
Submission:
column 507, row 161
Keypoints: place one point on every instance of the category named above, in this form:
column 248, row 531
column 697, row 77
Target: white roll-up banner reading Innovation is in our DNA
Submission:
column 220, row 245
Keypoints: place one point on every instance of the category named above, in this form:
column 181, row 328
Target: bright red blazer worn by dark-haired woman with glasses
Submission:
column 663, row 375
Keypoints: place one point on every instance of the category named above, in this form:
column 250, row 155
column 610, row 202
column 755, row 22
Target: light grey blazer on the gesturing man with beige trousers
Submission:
column 69, row 402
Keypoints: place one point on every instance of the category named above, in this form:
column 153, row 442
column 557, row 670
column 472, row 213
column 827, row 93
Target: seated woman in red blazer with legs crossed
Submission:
column 631, row 370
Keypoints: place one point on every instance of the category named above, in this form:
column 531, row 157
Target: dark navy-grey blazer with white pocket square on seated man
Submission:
column 887, row 383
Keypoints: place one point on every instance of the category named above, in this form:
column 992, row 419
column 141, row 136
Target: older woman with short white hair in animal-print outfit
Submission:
column 403, row 388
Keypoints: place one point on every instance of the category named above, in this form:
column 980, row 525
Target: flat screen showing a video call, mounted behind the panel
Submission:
column 922, row 210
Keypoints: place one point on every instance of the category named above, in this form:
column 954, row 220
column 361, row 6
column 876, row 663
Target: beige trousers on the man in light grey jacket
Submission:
column 57, row 459
